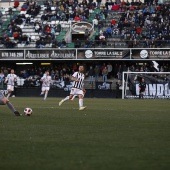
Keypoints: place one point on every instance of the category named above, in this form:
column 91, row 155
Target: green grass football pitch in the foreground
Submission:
column 109, row 134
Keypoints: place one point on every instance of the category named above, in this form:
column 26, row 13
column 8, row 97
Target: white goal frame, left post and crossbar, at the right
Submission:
column 140, row 73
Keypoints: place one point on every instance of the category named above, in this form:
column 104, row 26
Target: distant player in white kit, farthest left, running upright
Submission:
column 10, row 80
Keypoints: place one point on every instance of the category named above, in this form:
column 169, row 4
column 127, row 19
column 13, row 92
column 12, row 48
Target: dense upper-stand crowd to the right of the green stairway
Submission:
column 139, row 24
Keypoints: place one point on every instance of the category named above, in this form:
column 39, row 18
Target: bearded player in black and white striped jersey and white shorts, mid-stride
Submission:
column 77, row 87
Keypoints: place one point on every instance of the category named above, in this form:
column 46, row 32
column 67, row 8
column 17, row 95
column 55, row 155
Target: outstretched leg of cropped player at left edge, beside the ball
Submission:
column 4, row 100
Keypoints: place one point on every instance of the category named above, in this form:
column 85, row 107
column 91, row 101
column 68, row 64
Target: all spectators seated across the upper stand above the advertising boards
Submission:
column 139, row 24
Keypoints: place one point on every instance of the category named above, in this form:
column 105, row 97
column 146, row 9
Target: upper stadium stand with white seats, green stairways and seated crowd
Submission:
column 45, row 24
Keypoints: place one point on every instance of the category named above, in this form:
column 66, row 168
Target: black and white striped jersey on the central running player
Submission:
column 80, row 84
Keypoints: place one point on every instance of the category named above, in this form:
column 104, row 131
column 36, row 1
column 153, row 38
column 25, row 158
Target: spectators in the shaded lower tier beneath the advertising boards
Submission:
column 94, row 72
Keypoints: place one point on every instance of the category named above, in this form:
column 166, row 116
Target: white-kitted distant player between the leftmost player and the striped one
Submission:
column 46, row 82
